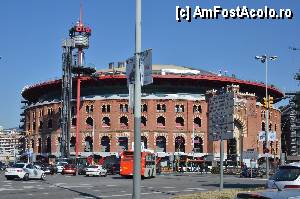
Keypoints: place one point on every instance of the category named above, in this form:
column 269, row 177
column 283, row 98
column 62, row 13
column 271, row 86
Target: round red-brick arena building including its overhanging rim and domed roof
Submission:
column 174, row 114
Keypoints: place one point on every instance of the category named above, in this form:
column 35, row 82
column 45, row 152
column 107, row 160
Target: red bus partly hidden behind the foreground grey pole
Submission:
column 148, row 167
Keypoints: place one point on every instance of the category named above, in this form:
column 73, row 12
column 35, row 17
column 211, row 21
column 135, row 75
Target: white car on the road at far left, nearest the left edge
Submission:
column 24, row 171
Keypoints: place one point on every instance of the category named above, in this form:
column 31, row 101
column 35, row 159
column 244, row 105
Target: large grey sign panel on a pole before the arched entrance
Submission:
column 221, row 121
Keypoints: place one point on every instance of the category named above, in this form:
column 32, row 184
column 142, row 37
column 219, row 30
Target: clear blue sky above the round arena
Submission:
column 32, row 32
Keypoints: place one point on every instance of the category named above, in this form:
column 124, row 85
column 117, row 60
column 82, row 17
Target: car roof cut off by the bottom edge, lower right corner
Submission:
column 285, row 194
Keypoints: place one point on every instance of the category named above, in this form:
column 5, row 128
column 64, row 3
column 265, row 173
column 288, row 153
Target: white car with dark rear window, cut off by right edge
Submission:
column 286, row 177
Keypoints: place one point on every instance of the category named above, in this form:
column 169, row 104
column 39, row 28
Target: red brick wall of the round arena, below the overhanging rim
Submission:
column 249, row 116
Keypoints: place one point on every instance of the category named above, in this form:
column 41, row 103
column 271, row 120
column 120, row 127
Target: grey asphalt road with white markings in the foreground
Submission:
column 113, row 186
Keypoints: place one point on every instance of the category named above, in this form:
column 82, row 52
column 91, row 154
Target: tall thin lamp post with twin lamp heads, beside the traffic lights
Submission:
column 264, row 59
